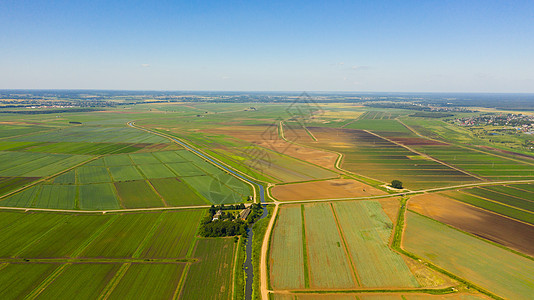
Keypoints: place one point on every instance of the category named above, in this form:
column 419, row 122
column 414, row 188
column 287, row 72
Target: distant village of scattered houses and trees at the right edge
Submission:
column 519, row 122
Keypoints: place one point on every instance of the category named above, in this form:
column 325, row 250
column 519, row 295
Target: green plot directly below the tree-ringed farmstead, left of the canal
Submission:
column 216, row 258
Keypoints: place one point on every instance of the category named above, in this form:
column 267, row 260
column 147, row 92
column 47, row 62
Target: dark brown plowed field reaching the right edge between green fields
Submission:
column 496, row 228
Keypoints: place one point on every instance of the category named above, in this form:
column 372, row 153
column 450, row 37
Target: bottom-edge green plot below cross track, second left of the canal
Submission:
column 149, row 281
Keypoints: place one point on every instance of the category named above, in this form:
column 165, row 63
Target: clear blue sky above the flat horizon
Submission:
column 403, row 46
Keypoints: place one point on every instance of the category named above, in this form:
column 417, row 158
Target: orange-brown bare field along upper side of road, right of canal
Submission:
column 328, row 189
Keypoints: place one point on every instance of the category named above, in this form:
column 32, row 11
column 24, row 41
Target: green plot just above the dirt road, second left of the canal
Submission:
column 176, row 192
